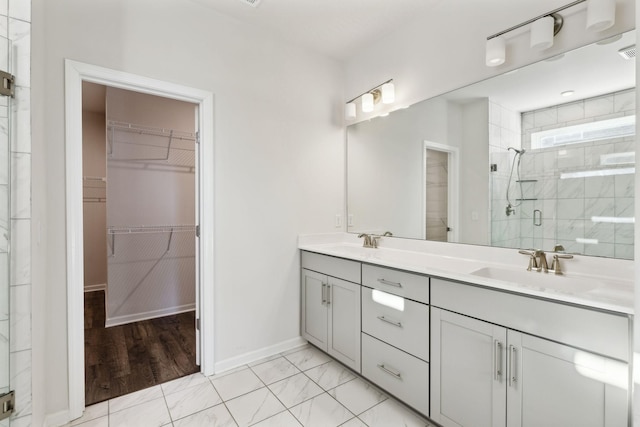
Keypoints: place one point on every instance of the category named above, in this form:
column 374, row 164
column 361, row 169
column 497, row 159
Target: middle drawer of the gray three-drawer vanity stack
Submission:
column 407, row 329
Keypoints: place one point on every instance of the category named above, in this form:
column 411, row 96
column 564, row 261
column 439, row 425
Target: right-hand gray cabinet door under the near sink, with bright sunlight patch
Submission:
column 556, row 386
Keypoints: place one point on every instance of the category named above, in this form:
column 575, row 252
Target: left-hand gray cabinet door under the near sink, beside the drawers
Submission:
column 467, row 371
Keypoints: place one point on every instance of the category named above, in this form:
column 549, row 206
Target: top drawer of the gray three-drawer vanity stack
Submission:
column 408, row 285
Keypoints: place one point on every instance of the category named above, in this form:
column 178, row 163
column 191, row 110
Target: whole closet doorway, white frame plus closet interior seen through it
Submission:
column 156, row 185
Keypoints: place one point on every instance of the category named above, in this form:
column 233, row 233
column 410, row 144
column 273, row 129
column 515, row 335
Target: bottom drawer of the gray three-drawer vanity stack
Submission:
column 399, row 373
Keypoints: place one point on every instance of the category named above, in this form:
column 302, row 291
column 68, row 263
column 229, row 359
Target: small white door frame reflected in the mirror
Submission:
column 453, row 203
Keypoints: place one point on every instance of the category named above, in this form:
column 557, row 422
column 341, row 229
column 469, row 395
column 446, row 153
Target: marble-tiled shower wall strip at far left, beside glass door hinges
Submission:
column 15, row 24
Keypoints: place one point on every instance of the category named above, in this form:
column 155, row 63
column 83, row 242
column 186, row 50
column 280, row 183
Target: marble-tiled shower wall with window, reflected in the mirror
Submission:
column 567, row 205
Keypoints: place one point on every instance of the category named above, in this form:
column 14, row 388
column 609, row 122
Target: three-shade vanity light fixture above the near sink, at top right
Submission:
column 600, row 16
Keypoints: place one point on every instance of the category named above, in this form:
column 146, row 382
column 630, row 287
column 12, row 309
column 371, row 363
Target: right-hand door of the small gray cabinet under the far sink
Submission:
column 344, row 322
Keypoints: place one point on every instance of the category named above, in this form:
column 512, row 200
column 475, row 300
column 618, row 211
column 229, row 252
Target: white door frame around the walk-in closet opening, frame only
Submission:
column 75, row 74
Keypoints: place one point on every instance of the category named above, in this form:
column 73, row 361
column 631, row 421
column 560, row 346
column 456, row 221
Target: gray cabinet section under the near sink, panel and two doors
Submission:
column 485, row 374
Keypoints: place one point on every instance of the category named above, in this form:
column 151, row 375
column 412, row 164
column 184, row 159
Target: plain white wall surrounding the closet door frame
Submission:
column 278, row 168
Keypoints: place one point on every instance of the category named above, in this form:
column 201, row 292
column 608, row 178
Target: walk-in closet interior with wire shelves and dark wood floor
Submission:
column 139, row 234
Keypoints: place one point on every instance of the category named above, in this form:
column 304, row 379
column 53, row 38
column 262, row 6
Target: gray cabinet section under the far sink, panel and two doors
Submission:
column 331, row 306
